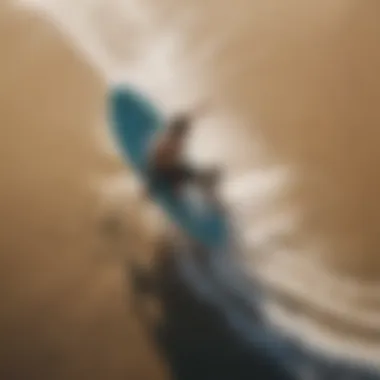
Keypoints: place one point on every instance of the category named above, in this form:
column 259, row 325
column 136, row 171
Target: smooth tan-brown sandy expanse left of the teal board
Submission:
column 65, row 310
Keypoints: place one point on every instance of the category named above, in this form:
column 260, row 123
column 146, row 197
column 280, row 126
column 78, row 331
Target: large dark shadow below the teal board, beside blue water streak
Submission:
column 193, row 334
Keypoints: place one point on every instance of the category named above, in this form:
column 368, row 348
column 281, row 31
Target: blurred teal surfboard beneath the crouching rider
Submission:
column 135, row 123
